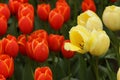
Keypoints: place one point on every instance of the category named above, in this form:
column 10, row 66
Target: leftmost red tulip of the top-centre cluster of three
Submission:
column 43, row 11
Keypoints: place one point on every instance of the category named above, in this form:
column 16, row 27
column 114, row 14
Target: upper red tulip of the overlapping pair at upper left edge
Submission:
column 4, row 10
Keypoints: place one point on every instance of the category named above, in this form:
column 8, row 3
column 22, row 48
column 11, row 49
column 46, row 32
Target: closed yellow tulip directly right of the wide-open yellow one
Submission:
column 98, row 43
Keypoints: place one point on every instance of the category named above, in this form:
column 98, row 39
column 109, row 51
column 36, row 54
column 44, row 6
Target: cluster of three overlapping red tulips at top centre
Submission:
column 56, row 16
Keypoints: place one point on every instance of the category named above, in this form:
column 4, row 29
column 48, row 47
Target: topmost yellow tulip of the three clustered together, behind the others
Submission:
column 90, row 20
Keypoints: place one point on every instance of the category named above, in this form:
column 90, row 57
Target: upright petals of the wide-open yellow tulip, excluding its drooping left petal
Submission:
column 78, row 36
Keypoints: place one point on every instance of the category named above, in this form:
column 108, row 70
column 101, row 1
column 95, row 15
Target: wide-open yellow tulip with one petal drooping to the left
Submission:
column 79, row 36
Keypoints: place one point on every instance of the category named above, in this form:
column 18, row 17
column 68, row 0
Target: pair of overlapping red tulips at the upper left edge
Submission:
column 4, row 16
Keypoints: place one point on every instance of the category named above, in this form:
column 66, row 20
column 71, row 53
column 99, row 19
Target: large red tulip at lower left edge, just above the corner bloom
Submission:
column 6, row 66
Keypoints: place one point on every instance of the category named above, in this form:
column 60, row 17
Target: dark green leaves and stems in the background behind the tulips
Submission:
column 81, row 66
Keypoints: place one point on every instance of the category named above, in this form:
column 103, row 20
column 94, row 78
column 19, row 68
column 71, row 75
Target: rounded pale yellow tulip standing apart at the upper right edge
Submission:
column 111, row 17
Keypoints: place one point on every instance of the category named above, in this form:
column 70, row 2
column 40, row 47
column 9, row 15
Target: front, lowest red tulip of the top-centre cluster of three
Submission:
column 56, row 19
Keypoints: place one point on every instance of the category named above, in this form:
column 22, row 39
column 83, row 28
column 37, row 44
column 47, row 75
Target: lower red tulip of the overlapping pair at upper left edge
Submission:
column 3, row 25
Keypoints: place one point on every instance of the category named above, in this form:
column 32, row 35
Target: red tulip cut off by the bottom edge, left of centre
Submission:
column 43, row 73
